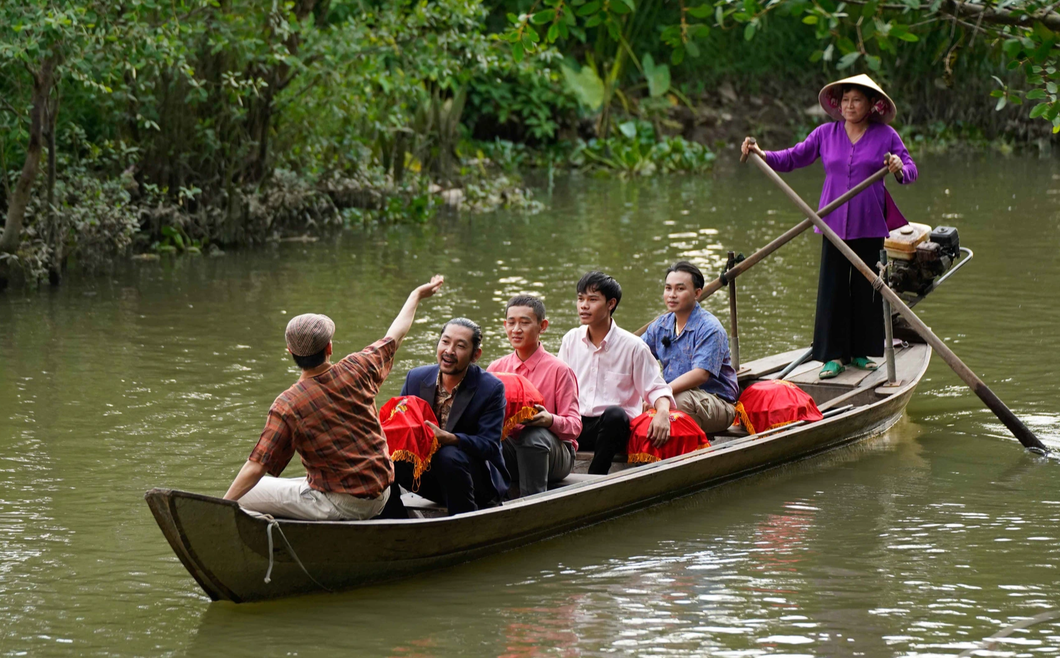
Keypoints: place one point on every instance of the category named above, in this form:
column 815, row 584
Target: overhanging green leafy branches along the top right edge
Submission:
column 1020, row 35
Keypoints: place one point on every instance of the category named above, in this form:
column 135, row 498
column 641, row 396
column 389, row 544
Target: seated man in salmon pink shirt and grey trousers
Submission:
column 542, row 450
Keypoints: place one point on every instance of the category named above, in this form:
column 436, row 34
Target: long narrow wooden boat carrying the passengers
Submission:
column 229, row 552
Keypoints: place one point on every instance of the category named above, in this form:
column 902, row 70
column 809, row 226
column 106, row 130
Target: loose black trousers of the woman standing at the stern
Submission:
column 850, row 312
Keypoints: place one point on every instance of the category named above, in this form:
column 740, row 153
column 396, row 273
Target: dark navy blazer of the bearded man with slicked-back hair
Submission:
column 476, row 418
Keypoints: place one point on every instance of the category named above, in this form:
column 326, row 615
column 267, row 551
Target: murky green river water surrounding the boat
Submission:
column 923, row 542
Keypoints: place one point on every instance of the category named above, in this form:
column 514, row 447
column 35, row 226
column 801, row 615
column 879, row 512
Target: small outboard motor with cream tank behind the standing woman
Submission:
column 918, row 255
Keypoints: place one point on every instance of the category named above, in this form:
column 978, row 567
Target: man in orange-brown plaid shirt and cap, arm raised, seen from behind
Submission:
column 329, row 418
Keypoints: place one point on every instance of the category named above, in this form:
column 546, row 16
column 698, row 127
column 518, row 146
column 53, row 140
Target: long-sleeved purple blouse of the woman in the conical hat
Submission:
column 871, row 214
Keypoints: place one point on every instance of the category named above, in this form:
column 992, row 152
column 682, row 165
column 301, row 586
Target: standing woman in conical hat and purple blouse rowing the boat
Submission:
column 850, row 325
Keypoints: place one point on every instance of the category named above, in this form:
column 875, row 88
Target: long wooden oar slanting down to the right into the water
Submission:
column 1021, row 432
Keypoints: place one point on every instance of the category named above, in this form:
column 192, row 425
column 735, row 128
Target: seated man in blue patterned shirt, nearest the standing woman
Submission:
column 693, row 347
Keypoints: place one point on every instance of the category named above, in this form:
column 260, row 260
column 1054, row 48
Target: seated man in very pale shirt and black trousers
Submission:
column 616, row 374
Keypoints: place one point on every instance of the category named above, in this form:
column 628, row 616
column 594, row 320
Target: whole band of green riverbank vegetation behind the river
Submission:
column 187, row 128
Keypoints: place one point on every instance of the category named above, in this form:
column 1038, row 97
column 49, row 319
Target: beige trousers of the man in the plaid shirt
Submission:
column 293, row 499
